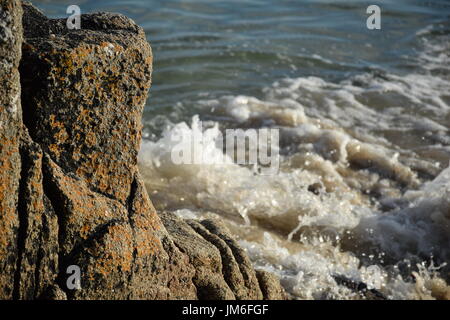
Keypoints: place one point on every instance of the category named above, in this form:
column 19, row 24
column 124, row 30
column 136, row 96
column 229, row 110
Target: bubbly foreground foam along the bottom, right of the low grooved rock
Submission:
column 310, row 273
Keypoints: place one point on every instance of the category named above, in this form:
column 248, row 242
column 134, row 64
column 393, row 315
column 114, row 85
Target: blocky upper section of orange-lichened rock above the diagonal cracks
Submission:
column 89, row 88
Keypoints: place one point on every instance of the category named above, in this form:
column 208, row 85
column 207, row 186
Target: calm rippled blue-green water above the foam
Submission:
column 240, row 46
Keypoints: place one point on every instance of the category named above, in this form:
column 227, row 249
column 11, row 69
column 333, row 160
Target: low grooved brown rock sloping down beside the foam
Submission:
column 223, row 270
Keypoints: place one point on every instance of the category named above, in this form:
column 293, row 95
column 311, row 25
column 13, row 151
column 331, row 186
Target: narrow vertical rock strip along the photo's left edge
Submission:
column 10, row 128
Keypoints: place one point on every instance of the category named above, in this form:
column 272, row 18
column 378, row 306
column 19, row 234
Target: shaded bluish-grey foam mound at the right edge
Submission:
column 419, row 226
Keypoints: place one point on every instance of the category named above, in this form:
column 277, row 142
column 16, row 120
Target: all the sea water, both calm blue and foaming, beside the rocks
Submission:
column 363, row 190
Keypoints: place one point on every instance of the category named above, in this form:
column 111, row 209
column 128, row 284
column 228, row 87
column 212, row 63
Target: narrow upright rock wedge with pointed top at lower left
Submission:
column 38, row 233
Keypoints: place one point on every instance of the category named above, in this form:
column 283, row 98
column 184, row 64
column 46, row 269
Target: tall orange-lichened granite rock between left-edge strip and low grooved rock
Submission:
column 83, row 93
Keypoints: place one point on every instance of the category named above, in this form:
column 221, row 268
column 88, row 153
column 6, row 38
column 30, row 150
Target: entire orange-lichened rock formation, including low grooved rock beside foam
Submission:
column 70, row 191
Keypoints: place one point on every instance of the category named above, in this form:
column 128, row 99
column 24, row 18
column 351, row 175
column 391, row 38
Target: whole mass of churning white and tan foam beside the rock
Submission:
column 362, row 189
